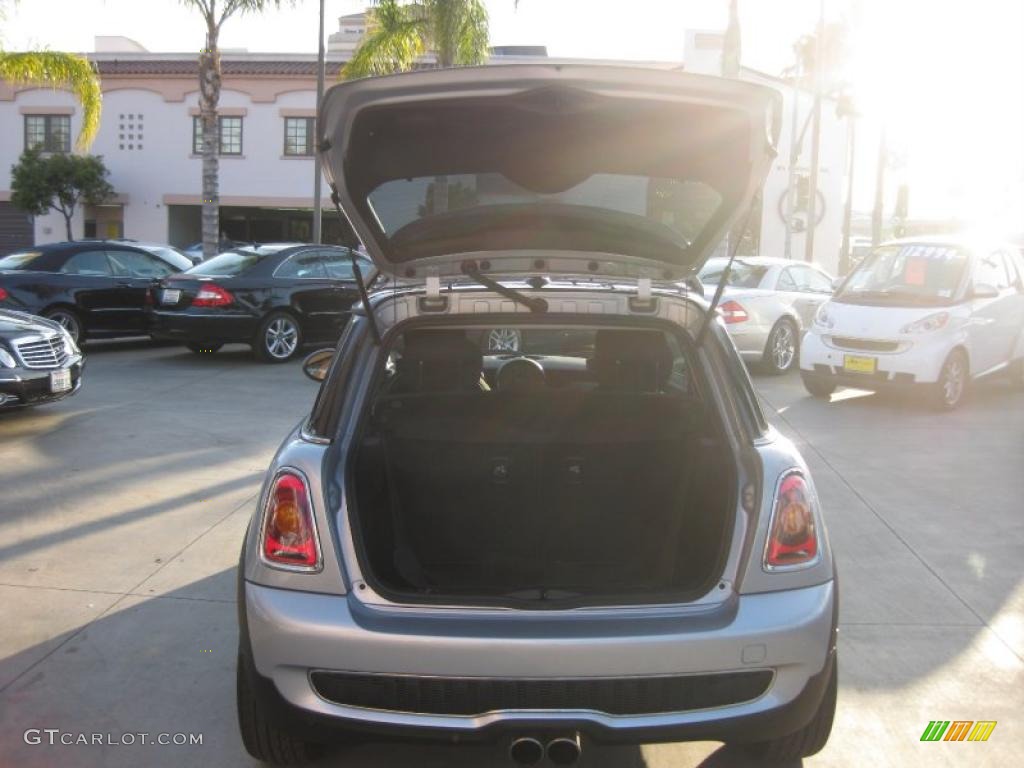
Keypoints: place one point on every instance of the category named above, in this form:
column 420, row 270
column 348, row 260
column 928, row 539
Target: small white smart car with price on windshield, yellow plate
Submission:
column 935, row 314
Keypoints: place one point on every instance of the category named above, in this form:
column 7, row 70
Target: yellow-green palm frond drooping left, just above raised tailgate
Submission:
column 396, row 38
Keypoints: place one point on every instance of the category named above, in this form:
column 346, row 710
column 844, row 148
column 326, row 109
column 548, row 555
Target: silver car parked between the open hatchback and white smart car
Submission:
column 767, row 306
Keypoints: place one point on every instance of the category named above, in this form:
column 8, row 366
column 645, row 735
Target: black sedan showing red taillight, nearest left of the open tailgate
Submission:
column 274, row 297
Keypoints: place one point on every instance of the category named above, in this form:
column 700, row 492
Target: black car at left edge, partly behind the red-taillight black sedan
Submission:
column 91, row 288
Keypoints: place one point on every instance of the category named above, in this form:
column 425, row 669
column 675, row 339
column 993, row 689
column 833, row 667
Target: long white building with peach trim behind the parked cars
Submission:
column 268, row 104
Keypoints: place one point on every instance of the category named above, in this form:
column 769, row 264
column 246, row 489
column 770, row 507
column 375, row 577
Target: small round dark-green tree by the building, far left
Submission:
column 40, row 183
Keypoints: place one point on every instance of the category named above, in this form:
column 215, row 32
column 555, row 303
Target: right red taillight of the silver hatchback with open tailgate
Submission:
column 793, row 536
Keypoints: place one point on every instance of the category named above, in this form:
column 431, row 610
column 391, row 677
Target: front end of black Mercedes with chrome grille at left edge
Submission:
column 39, row 361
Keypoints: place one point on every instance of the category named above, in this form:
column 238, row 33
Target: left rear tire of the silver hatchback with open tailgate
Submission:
column 265, row 739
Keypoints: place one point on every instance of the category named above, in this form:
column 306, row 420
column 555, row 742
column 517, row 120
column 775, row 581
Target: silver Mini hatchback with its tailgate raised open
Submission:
column 591, row 538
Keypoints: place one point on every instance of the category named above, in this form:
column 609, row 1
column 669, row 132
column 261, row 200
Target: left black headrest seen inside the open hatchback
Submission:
column 439, row 361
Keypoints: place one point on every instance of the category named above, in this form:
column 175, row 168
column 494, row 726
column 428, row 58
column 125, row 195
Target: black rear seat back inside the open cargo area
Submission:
column 487, row 472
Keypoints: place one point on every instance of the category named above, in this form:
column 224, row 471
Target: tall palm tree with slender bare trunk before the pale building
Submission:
column 209, row 90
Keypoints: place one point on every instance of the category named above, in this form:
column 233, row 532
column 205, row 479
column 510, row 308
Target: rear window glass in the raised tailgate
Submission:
column 639, row 216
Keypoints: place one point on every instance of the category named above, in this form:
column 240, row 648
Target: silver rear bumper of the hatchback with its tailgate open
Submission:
column 792, row 634
